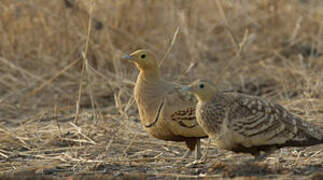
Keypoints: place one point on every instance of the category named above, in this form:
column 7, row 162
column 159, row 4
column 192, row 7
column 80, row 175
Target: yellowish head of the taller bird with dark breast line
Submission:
column 144, row 59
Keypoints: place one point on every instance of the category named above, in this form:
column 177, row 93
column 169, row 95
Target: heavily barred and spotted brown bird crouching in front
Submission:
column 245, row 123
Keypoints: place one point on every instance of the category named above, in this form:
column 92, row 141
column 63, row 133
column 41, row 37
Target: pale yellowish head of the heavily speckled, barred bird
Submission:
column 202, row 89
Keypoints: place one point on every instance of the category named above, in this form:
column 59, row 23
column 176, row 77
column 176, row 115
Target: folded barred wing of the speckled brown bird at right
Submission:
column 258, row 122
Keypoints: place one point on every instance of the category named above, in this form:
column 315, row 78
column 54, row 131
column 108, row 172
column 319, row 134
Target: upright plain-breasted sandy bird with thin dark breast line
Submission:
column 166, row 111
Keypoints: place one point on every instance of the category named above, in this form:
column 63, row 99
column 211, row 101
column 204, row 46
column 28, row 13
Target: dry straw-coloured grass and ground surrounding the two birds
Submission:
column 66, row 103
